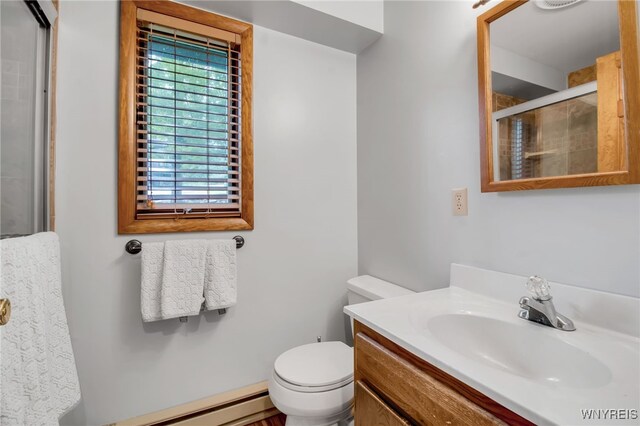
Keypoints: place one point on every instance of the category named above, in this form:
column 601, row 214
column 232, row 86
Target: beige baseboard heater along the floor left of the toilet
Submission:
column 238, row 407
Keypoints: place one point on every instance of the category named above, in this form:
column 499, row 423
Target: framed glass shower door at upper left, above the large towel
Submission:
column 24, row 116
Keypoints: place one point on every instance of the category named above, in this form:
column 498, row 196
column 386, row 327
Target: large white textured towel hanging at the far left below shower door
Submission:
column 39, row 377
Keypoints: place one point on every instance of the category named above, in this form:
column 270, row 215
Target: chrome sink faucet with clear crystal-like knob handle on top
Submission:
column 539, row 307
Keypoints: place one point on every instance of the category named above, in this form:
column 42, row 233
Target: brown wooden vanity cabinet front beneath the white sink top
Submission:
column 395, row 387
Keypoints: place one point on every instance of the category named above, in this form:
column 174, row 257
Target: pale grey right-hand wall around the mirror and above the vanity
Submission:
column 418, row 138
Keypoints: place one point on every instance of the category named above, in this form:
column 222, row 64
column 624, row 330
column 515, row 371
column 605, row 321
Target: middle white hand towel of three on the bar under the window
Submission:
column 183, row 278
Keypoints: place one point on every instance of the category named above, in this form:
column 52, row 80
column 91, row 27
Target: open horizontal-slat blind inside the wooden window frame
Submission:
column 188, row 124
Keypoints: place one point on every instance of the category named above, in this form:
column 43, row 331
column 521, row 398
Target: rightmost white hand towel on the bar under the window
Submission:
column 220, row 276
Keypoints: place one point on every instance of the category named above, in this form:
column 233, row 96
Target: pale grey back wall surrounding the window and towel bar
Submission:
column 292, row 270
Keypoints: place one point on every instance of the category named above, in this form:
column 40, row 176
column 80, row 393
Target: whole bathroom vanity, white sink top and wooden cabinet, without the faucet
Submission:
column 461, row 355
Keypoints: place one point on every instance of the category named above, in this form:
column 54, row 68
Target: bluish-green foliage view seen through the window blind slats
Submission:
column 189, row 159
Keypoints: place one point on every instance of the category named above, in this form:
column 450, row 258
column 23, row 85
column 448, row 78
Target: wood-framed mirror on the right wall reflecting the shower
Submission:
column 559, row 85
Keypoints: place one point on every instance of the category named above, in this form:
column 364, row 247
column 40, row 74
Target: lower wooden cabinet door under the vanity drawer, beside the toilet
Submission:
column 370, row 410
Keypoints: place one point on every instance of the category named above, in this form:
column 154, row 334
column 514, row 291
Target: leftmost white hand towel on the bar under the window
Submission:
column 151, row 282
